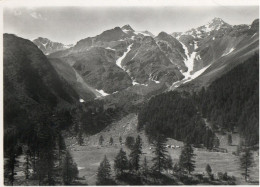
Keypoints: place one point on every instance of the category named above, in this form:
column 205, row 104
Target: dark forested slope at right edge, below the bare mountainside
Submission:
column 232, row 101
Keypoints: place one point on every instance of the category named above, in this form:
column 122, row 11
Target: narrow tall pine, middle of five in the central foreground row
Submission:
column 134, row 157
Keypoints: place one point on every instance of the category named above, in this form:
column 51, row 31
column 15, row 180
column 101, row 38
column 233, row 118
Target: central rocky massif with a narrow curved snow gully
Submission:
column 140, row 59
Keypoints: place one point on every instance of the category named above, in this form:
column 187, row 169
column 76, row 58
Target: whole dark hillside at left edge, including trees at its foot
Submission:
column 37, row 104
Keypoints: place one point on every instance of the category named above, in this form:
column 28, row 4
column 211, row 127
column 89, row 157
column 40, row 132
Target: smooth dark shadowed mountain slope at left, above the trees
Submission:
column 30, row 81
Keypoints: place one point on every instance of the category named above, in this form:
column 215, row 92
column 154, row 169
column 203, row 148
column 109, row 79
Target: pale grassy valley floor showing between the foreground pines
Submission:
column 91, row 154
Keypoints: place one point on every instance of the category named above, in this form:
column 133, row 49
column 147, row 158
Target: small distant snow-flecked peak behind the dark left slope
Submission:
column 47, row 46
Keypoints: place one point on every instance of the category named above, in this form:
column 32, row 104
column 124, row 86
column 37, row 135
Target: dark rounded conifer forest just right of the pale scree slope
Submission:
column 175, row 115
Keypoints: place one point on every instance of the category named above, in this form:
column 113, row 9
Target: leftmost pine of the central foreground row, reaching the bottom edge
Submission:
column 104, row 172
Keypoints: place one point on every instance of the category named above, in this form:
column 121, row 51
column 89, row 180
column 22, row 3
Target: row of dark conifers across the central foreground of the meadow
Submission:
column 131, row 170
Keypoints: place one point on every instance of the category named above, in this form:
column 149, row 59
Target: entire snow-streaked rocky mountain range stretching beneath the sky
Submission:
column 124, row 61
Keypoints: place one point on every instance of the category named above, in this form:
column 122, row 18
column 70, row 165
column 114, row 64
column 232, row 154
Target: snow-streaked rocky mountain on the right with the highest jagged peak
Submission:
column 217, row 51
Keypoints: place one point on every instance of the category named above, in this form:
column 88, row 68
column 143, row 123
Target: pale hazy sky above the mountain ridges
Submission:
column 71, row 24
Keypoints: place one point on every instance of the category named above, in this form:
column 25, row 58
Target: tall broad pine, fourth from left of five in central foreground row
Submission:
column 160, row 152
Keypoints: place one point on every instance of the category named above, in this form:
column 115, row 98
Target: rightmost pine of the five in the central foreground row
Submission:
column 186, row 161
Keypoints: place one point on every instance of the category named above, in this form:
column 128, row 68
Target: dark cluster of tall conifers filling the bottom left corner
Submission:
column 41, row 143
